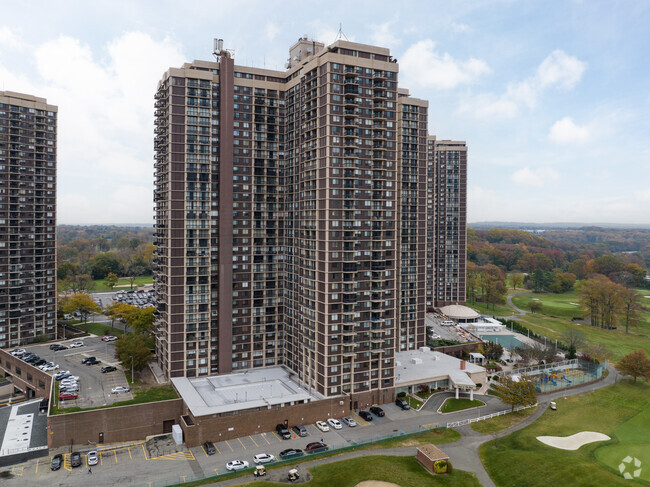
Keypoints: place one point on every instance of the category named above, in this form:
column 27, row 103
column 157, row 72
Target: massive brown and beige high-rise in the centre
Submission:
column 291, row 215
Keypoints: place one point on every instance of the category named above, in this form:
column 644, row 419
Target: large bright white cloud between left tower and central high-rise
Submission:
column 105, row 126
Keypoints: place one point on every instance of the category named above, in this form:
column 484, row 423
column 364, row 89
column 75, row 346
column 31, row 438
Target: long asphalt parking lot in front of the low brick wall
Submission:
column 140, row 463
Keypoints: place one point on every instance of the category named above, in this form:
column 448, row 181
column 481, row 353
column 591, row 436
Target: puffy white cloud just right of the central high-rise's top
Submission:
column 422, row 65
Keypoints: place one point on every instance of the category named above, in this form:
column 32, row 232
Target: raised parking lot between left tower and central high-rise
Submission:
column 94, row 386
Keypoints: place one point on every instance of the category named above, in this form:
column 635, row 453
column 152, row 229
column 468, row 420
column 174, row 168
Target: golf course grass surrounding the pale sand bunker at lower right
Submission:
column 619, row 411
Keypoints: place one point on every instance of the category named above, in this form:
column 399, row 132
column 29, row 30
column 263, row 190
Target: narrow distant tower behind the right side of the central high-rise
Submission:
column 446, row 222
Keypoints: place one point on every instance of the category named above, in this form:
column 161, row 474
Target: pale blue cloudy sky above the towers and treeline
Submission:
column 552, row 97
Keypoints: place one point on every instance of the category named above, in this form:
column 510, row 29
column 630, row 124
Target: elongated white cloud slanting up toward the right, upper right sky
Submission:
column 557, row 70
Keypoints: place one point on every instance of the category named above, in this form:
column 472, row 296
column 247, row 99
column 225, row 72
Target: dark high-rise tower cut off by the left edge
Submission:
column 28, row 127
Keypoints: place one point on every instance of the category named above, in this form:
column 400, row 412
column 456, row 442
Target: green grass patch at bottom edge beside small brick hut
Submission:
column 405, row 471
